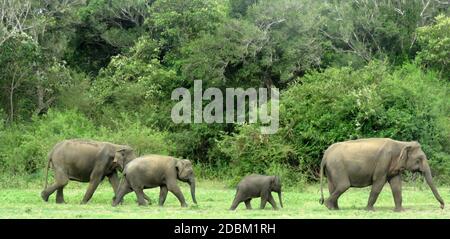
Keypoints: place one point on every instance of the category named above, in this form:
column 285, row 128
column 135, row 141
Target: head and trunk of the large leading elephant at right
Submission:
column 412, row 158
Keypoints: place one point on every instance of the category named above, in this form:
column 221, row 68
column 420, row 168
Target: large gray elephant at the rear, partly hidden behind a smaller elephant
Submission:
column 85, row 161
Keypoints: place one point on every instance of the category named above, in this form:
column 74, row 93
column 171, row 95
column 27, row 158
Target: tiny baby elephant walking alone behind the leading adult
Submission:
column 254, row 186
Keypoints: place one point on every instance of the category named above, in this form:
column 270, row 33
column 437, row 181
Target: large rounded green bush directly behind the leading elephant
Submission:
column 342, row 104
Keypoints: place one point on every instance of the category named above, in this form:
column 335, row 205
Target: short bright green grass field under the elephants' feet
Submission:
column 214, row 200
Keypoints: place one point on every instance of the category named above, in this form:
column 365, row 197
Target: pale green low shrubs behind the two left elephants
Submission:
column 24, row 148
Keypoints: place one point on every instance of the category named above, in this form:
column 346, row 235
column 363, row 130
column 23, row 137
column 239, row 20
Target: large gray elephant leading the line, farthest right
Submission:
column 373, row 161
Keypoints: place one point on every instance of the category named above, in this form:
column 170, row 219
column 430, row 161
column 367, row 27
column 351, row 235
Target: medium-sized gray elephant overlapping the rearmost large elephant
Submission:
column 156, row 171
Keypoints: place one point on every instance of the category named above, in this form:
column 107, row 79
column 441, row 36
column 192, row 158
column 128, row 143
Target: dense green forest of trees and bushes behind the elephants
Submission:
column 105, row 70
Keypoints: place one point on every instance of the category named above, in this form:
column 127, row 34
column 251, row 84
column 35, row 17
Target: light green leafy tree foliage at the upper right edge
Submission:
column 435, row 42
